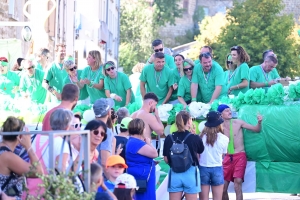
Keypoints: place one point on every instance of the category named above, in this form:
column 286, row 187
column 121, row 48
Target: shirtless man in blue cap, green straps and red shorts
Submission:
column 235, row 161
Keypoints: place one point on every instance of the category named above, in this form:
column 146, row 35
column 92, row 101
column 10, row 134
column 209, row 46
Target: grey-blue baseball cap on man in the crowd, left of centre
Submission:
column 102, row 106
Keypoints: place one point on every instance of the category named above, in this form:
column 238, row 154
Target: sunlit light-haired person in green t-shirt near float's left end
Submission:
column 31, row 83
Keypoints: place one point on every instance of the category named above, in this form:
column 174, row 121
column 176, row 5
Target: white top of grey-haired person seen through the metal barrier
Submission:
column 58, row 142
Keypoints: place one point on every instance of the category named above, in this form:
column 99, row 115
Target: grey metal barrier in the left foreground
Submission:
column 84, row 154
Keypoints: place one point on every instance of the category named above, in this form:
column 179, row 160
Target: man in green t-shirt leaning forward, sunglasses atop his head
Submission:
column 209, row 76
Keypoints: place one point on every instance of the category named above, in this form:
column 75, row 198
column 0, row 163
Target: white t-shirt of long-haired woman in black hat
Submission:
column 212, row 156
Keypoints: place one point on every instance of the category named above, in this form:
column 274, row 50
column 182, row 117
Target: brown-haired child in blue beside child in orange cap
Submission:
column 97, row 181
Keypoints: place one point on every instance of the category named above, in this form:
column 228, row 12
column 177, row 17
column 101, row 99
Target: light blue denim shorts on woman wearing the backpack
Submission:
column 185, row 181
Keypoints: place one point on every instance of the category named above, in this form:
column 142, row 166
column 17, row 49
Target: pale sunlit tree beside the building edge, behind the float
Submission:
column 140, row 22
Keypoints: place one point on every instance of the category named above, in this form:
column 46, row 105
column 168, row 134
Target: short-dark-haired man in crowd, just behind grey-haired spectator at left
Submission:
column 69, row 98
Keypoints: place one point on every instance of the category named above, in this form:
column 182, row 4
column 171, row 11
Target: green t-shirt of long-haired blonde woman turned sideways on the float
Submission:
column 95, row 77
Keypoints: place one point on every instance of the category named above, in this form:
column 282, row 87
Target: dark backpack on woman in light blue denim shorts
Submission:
column 180, row 155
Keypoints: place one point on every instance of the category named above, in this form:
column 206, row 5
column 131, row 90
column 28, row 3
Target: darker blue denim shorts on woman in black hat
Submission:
column 212, row 176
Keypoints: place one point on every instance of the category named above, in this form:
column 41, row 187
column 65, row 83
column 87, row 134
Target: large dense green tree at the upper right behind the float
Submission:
column 258, row 25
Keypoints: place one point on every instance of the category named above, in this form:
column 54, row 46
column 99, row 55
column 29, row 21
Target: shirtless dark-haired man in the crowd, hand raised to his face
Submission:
column 149, row 114
